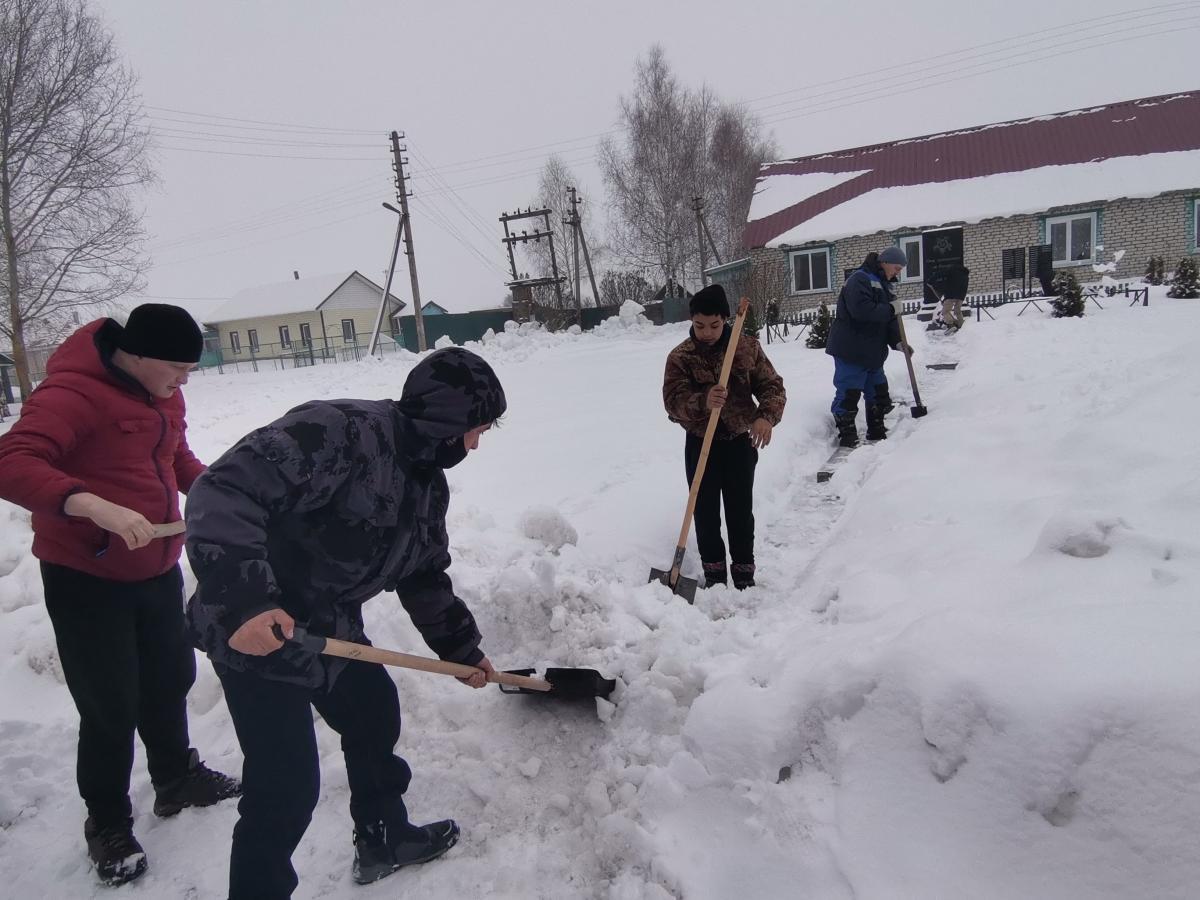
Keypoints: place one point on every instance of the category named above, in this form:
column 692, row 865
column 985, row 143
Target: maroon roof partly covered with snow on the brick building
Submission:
column 1009, row 169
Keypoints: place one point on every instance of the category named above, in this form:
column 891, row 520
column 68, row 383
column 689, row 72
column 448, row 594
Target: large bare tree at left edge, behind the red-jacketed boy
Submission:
column 73, row 148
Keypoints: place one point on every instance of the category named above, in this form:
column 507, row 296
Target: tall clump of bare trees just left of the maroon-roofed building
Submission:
column 679, row 145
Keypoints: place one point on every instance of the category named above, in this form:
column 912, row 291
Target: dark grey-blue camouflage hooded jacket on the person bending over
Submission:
column 323, row 509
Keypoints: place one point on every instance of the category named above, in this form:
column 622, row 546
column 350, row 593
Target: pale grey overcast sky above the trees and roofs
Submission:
column 488, row 91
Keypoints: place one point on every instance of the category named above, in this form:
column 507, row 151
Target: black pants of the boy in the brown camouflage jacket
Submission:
column 729, row 476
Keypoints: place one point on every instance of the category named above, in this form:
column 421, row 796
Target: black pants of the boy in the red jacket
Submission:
column 129, row 667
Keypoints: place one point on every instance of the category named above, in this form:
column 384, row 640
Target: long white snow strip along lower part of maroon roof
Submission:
column 993, row 196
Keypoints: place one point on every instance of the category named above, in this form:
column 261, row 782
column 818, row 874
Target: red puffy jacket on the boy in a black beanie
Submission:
column 92, row 428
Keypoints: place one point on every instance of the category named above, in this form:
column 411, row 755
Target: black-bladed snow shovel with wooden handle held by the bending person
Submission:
column 566, row 683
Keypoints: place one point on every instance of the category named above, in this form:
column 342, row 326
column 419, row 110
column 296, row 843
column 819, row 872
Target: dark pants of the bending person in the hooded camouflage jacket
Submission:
column 281, row 777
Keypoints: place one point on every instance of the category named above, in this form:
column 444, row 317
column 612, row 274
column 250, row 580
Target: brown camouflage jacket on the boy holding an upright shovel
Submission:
column 693, row 368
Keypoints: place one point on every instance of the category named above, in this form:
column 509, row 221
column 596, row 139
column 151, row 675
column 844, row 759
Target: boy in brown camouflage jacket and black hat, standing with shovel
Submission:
column 752, row 407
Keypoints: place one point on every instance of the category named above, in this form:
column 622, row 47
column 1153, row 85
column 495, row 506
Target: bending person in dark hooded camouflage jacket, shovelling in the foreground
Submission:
column 305, row 520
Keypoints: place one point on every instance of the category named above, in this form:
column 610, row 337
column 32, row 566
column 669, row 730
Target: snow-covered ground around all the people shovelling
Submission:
column 969, row 670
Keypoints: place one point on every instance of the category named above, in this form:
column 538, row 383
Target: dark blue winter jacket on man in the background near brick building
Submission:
column 866, row 325
